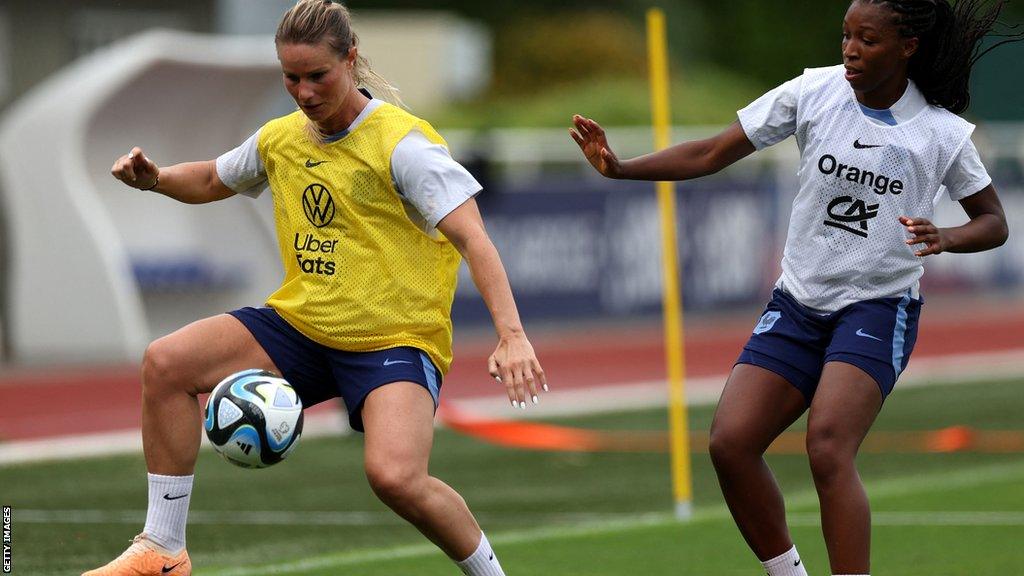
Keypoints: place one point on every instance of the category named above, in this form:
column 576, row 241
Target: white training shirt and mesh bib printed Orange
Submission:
column 858, row 177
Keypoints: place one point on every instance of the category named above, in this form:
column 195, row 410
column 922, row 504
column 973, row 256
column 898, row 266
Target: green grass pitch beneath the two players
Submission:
column 549, row 514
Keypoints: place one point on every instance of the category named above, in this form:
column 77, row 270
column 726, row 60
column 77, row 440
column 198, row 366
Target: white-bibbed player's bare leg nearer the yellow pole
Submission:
column 757, row 405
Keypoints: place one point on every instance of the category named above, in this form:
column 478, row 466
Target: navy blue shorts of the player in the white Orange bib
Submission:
column 796, row 343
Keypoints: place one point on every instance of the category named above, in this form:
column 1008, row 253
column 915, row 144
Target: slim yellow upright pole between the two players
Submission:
column 659, row 64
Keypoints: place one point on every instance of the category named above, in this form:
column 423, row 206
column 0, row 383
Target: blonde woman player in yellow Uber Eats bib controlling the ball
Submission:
column 372, row 216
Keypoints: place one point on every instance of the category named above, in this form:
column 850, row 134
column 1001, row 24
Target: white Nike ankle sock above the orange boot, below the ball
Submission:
column 168, row 511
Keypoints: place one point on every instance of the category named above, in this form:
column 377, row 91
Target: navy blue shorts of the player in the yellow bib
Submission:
column 320, row 373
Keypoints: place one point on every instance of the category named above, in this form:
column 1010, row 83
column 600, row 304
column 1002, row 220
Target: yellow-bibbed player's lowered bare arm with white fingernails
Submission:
column 514, row 361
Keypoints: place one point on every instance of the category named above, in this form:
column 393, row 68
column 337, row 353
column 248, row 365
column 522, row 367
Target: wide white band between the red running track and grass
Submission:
column 624, row 397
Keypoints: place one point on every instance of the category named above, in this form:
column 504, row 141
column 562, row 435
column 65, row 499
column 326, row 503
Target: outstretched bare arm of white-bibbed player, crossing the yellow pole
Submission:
column 681, row 162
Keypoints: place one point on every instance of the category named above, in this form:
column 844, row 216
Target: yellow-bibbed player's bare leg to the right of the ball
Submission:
column 400, row 432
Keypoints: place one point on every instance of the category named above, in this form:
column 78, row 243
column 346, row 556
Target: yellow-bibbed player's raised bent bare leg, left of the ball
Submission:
column 179, row 367
